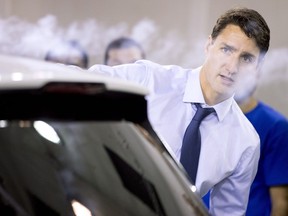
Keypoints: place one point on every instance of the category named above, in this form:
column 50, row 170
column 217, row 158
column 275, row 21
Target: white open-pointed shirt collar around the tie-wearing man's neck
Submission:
column 193, row 94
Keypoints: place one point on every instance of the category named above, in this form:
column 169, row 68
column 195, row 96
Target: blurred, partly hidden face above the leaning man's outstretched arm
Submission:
column 123, row 56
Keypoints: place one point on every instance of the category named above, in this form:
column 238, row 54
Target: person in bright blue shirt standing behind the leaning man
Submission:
column 269, row 190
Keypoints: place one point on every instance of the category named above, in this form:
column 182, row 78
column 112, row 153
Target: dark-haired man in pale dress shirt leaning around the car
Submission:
column 230, row 146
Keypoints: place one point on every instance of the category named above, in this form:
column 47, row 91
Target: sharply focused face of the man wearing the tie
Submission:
column 230, row 57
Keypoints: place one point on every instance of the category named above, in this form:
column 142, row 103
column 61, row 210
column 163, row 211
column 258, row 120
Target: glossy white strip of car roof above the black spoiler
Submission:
column 18, row 72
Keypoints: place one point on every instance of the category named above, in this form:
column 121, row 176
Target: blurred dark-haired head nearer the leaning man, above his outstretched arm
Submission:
column 123, row 50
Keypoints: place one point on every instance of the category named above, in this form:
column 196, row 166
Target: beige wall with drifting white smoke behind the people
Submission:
column 171, row 32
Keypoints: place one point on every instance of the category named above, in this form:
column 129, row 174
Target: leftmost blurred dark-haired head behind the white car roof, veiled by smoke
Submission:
column 69, row 53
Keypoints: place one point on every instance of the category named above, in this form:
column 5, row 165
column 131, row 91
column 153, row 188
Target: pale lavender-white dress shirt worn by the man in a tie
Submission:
column 230, row 146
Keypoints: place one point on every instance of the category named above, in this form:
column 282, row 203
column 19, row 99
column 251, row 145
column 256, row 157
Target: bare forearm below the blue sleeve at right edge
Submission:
column 279, row 200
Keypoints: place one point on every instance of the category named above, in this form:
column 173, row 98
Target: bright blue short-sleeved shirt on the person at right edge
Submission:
column 272, row 128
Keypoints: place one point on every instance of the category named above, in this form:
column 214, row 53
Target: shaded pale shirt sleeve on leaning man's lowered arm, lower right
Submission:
column 230, row 196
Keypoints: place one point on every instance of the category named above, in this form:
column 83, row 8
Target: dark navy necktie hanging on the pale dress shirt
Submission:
column 191, row 145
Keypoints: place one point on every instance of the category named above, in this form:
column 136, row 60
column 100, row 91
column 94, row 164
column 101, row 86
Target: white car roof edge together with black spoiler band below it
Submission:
column 35, row 89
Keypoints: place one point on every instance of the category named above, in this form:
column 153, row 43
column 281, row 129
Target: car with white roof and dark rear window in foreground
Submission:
column 76, row 143
